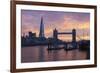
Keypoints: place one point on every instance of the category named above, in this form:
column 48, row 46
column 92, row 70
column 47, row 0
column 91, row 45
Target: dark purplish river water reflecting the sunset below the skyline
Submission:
column 41, row 54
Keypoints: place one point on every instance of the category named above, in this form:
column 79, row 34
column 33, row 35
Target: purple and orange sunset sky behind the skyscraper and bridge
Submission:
column 62, row 21
